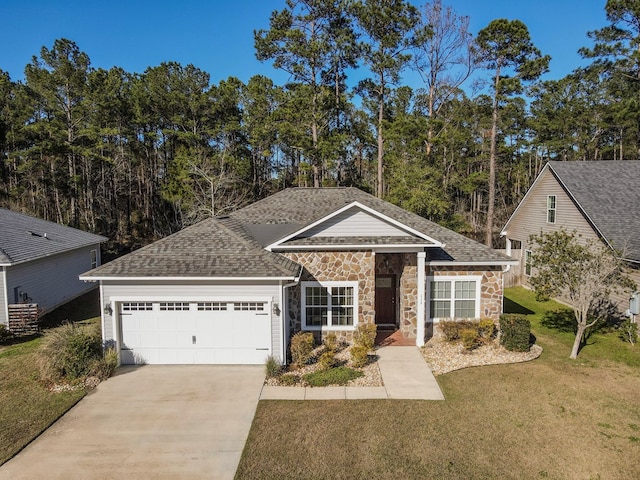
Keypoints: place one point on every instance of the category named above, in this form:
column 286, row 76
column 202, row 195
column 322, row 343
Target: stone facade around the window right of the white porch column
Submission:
column 490, row 288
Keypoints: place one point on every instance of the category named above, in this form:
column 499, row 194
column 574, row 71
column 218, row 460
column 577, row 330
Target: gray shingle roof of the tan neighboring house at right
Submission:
column 608, row 192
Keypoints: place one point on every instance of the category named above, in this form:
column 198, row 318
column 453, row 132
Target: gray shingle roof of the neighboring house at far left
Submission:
column 24, row 238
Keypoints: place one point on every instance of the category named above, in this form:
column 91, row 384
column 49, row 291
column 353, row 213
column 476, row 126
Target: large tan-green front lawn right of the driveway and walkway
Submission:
column 549, row 418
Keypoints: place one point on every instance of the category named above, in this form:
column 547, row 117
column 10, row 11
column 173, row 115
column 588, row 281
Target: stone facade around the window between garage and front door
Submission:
column 338, row 266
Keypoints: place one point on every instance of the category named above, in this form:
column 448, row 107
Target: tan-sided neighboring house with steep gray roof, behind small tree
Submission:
column 600, row 200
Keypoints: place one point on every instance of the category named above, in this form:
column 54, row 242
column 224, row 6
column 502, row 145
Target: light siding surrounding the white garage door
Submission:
column 172, row 291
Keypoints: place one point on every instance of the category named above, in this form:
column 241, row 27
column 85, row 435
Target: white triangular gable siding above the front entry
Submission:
column 355, row 222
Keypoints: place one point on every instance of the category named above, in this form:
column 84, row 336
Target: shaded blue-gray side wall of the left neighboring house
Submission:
column 51, row 281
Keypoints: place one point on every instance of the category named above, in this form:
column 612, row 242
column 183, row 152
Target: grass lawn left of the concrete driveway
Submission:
column 27, row 408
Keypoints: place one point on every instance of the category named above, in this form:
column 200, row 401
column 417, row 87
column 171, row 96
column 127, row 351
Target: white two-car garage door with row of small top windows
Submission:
column 231, row 332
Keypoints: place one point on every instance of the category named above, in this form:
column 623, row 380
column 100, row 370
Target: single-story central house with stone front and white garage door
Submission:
column 233, row 289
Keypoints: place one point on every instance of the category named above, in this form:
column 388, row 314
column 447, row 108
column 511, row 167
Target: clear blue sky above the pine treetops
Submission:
column 217, row 35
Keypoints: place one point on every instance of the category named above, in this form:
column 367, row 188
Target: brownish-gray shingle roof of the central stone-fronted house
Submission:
column 233, row 246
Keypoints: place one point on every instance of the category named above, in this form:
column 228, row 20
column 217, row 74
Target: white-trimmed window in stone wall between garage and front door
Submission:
column 329, row 305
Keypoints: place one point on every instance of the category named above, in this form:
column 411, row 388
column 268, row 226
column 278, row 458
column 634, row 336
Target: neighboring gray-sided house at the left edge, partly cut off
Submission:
column 40, row 262
